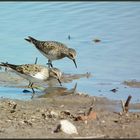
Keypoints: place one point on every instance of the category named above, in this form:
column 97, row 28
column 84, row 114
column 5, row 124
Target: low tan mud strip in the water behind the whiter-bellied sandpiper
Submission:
column 11, row 79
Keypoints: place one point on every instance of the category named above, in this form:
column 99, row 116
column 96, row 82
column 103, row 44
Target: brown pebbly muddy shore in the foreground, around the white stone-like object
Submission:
column 39, row 118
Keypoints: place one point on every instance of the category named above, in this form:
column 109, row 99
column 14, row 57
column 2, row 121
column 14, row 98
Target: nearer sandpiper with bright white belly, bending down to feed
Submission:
column 34, row 72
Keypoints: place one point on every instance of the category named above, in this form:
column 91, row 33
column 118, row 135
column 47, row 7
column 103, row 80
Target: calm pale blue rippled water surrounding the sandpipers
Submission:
column 115, row 59
